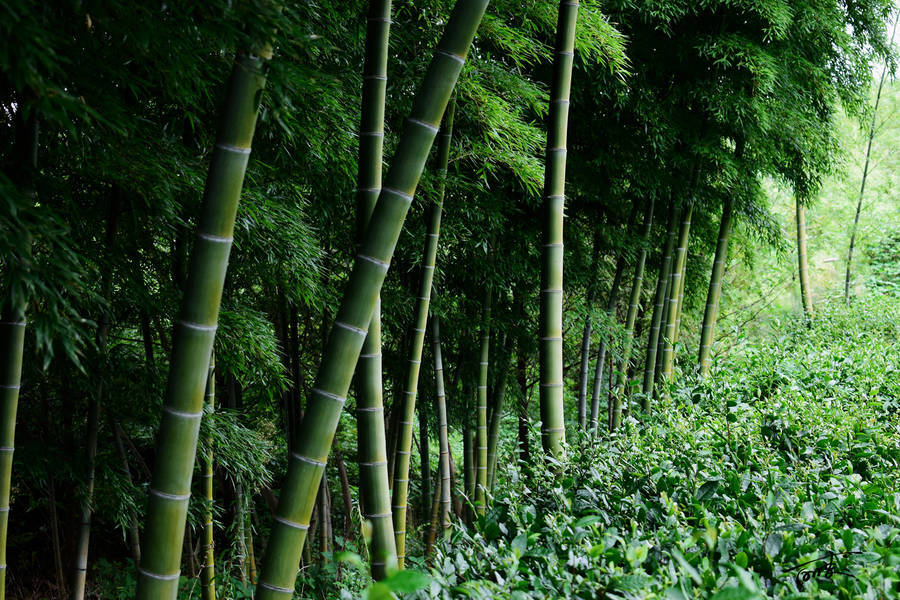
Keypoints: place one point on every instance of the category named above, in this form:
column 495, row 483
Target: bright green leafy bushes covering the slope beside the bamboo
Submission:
column 779, row 477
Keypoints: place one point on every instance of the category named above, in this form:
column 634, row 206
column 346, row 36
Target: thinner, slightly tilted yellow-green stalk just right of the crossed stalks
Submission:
column 404, row 445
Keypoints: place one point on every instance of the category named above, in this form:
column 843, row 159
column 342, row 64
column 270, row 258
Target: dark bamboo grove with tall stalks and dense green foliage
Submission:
column 594, row 165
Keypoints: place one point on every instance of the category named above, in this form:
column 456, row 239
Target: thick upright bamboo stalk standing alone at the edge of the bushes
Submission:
column 553, row 430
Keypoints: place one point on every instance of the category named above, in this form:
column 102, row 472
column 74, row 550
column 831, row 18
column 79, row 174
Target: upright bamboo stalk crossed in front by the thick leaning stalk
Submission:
column 374, row 486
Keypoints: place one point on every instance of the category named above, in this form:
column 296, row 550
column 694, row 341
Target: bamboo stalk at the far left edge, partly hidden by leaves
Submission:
column 12, row 339
